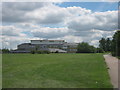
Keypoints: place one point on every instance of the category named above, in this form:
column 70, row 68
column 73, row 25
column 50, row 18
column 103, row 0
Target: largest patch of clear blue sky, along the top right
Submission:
column 94, row 6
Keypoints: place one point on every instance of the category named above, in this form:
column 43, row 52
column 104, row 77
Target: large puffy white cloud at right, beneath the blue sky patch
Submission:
column 105, row 21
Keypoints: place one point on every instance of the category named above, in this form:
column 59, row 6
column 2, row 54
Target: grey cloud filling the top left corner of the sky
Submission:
column 15, row 11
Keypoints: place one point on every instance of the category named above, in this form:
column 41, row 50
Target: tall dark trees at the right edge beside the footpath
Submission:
column 112, row 45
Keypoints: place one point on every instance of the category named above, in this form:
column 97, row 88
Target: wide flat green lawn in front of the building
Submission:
column 55, row 71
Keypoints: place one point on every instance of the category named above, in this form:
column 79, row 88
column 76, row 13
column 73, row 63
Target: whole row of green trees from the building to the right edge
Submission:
column 105, row 45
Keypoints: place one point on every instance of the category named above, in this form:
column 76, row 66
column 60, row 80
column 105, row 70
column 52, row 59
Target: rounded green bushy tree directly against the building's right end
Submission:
column 85, row 48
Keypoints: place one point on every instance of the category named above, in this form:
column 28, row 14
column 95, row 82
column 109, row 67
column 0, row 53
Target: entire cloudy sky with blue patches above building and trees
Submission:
column 69, row 21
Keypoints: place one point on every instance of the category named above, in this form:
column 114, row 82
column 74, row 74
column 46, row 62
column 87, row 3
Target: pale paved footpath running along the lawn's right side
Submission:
column 112, row 63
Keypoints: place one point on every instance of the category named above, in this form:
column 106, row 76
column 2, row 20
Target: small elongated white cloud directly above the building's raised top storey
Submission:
column 48, row 33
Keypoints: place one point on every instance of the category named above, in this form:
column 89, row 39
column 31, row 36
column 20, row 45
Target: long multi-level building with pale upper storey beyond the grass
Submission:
column 47, row 45
